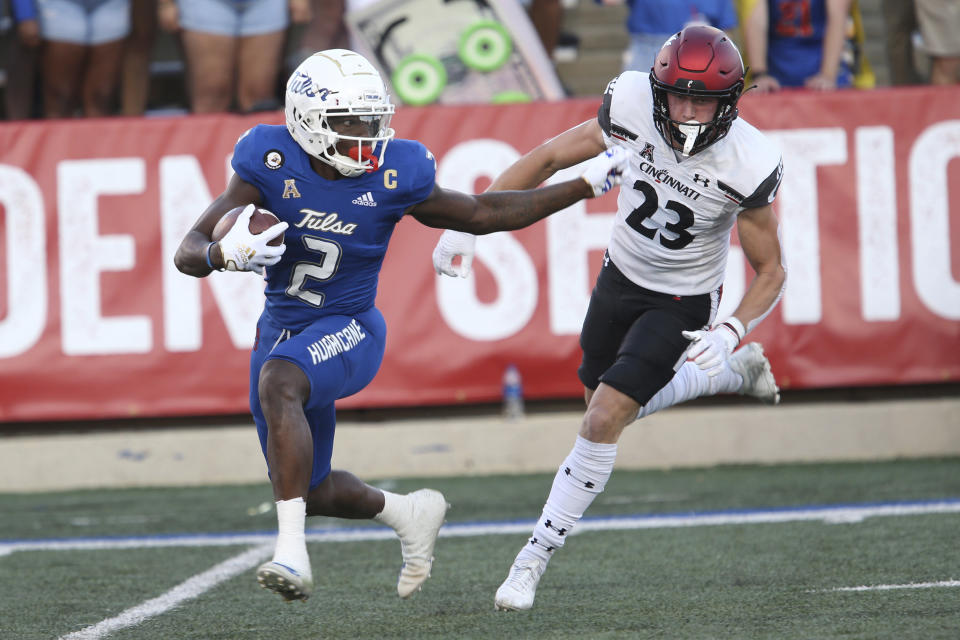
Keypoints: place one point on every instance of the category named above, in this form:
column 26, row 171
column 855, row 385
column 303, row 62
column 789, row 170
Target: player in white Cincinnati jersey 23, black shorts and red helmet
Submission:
column 695, row 170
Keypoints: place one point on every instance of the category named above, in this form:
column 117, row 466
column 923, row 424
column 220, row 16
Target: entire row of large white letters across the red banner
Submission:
column 570, row 238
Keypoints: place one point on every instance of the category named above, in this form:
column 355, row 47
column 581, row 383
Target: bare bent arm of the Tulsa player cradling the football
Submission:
column 191, row 256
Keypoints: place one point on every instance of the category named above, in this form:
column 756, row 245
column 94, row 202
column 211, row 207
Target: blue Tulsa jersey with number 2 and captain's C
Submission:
column 339, row 229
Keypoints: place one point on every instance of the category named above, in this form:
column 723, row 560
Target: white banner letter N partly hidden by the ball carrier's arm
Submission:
column 239, row 297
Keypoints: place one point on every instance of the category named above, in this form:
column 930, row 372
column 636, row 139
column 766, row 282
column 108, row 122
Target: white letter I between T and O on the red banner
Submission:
column 877, row 224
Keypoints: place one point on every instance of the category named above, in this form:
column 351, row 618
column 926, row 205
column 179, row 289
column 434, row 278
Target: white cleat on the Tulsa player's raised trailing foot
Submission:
column 428, row 509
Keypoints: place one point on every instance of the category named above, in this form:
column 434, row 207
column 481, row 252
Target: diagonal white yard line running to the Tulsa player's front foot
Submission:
column 187, row 590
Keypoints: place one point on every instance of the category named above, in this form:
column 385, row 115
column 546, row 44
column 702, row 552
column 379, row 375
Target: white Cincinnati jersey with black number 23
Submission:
column 674, row 217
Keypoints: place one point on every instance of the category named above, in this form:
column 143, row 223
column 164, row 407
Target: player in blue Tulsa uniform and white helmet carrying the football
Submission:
column 339, row 183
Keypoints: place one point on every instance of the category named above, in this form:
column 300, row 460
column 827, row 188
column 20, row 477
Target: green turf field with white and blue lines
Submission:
column 171, row 563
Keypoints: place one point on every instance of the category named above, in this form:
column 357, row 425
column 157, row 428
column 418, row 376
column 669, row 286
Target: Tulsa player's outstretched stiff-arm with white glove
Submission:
column 508, row 210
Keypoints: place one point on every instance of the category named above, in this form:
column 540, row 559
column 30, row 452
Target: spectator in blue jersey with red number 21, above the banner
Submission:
column 790, row 47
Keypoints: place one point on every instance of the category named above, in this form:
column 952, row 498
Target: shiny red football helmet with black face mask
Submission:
column 698, row 61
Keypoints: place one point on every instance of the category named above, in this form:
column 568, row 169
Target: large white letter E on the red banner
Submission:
column 84, row 254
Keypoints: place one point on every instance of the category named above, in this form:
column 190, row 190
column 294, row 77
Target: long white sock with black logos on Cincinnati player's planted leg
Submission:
column 581, row 477
